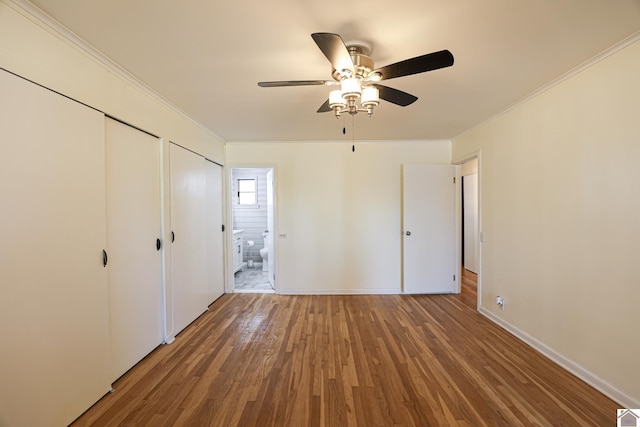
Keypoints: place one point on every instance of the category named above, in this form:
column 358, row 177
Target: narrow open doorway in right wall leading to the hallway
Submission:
column 470, row 244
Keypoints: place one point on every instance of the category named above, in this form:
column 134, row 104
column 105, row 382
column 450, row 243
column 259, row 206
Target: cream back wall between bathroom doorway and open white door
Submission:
column 340, row 210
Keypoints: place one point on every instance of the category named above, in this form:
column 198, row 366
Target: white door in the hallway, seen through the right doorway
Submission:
column 470, row 220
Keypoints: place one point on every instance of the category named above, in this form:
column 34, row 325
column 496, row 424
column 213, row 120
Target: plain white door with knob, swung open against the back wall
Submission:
column 429, row 235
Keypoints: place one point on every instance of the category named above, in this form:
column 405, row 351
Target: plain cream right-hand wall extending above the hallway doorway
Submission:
column 559, row 207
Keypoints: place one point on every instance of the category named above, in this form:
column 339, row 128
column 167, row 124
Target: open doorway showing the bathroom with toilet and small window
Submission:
column 252, row 218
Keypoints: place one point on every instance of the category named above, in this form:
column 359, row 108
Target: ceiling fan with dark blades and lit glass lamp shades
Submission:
column 353, row 71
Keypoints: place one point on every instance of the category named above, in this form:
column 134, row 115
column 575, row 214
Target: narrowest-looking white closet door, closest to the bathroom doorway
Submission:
column 214, row 235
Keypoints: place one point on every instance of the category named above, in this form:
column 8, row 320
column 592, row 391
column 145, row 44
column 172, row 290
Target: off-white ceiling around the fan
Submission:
column 206, row 57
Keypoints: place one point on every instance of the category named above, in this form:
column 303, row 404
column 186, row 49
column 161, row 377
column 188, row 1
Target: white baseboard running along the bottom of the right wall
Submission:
column 593, row 380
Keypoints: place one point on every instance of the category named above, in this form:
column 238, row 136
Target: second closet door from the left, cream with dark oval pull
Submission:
column 133, row 245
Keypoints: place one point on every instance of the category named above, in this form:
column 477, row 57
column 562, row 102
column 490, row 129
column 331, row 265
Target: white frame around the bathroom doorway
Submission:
column 228, row 219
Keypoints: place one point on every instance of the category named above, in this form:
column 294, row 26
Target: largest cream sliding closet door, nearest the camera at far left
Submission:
column 54, row 339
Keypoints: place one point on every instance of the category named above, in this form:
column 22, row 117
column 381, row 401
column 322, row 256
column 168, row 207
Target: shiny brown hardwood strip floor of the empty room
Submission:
column 366, row 360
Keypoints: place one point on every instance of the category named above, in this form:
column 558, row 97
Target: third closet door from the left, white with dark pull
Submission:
column 188, row 226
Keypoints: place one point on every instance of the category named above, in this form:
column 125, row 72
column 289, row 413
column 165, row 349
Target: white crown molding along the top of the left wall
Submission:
column 57, row 29
